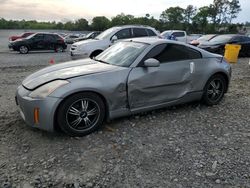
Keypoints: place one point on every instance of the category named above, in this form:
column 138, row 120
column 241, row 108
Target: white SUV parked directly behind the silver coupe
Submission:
column 93, row 47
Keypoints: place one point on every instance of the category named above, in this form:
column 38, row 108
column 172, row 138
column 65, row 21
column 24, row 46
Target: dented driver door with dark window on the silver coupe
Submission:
column 149, row 86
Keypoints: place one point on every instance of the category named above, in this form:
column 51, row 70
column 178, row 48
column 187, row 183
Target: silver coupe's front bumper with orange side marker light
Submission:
column 46, row 109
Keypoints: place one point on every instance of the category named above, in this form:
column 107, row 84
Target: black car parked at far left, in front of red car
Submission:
column 39, row 41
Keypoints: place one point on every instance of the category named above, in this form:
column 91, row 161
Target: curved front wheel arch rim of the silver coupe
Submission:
column 106, row 115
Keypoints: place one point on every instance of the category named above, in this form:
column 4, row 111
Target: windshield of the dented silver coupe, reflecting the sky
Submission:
column 122, row 53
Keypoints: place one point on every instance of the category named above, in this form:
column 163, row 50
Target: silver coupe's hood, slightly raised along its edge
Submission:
column 64, row 71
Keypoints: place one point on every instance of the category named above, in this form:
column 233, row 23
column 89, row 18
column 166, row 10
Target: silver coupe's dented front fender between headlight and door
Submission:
column 110, row 85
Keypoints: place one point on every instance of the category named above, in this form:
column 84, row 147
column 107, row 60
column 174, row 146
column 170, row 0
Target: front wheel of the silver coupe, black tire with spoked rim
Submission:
column 78, row 118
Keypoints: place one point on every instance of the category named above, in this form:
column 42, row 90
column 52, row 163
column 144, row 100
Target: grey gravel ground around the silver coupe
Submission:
column 188, row 145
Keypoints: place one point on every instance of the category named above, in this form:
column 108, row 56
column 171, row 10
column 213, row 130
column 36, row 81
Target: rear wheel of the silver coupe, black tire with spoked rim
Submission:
column 214, row 90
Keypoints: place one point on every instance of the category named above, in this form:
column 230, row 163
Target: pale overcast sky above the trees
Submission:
column 64, row 10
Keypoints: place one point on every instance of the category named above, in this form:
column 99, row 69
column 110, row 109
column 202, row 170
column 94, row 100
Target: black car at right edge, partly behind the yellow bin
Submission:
column 217, row 44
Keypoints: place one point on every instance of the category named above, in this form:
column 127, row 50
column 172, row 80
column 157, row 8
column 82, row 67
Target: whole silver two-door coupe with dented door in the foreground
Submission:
column 131, row 76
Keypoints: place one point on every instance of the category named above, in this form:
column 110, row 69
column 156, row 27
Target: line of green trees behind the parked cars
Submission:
column 214, row 18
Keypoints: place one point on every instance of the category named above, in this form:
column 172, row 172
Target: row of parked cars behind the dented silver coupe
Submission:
column 95, row 42
